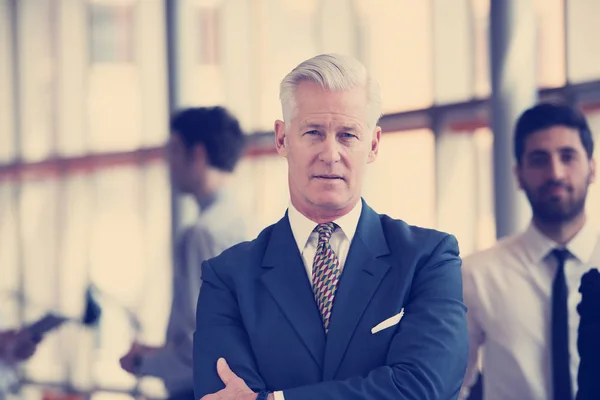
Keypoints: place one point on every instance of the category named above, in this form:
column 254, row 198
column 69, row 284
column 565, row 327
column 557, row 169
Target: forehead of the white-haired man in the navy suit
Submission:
column 314, row 103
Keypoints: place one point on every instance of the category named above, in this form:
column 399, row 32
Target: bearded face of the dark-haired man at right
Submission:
column 555, row 173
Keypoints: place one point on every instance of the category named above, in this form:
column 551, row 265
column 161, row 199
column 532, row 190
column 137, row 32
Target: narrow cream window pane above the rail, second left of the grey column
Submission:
column 454, row 58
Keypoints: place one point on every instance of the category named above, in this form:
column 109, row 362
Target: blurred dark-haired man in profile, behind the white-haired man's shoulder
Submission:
column 204, row 148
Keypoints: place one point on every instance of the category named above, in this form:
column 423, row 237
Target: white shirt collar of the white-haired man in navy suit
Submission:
column 302, row 227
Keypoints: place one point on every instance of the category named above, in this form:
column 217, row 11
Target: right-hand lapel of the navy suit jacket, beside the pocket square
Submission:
column 362, row 275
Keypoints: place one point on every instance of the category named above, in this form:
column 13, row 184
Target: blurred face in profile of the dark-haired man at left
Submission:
column 183, row 165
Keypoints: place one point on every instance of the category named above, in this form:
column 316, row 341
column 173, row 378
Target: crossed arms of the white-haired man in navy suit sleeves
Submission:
column 426, row 360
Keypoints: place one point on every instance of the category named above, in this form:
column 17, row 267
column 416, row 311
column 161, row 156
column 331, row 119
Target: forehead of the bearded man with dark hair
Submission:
column 553, row 139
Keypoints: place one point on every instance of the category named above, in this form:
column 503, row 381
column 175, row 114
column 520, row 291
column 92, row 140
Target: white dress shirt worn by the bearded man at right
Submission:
column 508, row 292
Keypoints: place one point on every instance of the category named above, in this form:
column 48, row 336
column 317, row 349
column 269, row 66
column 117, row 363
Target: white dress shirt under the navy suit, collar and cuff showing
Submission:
column 307, row 240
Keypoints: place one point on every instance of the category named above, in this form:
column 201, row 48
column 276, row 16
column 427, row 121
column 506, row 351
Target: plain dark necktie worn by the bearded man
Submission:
column 561, row 376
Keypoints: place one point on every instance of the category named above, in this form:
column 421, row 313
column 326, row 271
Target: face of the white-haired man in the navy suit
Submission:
column 328, row 143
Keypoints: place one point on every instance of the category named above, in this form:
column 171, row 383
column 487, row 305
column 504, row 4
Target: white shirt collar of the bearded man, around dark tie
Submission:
column 581, row 246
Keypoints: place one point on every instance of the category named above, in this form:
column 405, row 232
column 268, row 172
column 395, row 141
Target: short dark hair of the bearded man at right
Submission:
column 547, row 115
